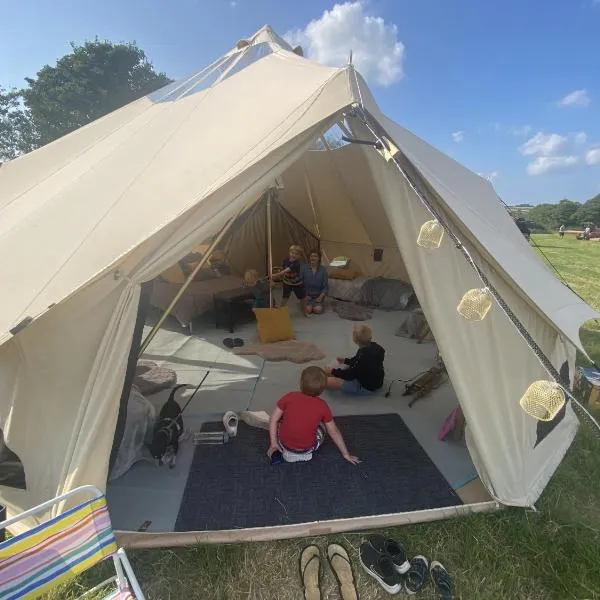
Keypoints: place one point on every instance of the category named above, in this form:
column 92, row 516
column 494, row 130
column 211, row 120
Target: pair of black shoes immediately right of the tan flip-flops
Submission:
column 385, row 561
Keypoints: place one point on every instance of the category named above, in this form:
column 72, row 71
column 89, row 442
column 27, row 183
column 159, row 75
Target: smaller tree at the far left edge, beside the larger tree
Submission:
column 17, row 133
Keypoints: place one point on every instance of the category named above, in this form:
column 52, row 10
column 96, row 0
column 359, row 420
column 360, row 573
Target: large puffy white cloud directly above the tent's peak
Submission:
column 377, row 53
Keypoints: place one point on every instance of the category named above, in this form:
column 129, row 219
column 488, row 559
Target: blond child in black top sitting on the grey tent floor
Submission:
column 363, row 373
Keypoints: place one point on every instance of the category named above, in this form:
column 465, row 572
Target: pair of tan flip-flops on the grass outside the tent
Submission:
column 311, row 572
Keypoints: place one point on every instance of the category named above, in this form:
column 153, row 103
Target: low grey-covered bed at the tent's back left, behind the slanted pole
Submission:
column 197, row 299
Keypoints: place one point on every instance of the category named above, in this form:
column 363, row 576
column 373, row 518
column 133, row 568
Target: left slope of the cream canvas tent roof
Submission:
column 74, row 208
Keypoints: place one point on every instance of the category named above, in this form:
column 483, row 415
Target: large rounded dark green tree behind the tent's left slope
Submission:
column 93, row 80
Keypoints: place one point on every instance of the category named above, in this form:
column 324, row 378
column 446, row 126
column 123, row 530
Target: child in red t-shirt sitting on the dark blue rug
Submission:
column 298, row 423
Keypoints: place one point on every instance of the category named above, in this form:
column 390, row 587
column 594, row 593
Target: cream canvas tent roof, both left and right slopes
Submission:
column 74, row 208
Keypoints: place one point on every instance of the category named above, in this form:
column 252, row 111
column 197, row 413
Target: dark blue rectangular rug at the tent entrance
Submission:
column 234, row 486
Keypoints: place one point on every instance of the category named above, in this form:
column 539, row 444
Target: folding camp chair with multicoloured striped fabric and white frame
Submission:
column 63, row 547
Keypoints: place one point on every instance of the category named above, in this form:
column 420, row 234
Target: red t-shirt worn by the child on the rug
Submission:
column 301, row 417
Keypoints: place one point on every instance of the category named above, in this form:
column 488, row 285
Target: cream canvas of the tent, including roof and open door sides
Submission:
column 86, row 220
